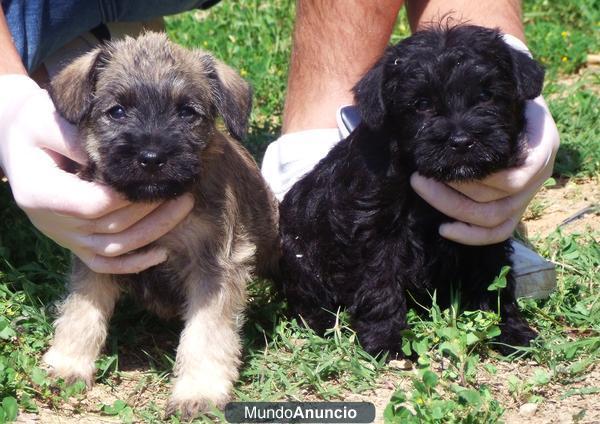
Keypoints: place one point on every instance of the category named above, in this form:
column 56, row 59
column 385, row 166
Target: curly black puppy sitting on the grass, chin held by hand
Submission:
column 448, row 103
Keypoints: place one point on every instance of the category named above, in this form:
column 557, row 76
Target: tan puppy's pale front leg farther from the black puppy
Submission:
column 82, row 326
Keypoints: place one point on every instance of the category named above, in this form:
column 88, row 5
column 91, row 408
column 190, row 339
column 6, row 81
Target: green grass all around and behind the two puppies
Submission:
column 284, row 360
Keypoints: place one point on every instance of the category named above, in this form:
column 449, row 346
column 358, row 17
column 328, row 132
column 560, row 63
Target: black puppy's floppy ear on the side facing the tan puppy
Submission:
column 368, row 93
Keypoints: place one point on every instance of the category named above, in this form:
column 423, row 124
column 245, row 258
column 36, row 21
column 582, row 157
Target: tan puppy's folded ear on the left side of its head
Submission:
column 73, row 88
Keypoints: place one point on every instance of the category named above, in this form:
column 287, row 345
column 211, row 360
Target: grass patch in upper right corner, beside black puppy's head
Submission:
column 561, row 35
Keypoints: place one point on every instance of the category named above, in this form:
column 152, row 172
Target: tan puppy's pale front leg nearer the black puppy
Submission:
column 208, row 355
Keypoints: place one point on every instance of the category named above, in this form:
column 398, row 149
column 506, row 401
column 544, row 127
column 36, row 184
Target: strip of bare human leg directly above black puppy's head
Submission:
column 503, row 14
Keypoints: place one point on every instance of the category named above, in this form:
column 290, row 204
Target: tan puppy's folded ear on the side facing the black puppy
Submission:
column 233, row 98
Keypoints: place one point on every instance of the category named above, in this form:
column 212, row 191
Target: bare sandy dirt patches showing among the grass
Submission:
column 551, row 207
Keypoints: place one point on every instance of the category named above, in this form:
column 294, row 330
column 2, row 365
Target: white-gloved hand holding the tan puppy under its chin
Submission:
column 90, row 219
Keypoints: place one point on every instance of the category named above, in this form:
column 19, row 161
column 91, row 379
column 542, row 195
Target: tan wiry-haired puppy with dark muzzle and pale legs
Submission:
column 146, row 111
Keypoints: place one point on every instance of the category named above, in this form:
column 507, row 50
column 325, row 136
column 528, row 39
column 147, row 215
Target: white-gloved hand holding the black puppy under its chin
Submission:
column 488, row 211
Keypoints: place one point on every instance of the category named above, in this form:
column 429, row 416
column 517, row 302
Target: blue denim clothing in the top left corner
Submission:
column 40, row 27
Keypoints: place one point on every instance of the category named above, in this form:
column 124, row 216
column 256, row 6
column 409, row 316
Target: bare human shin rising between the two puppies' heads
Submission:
column 335, row 42
